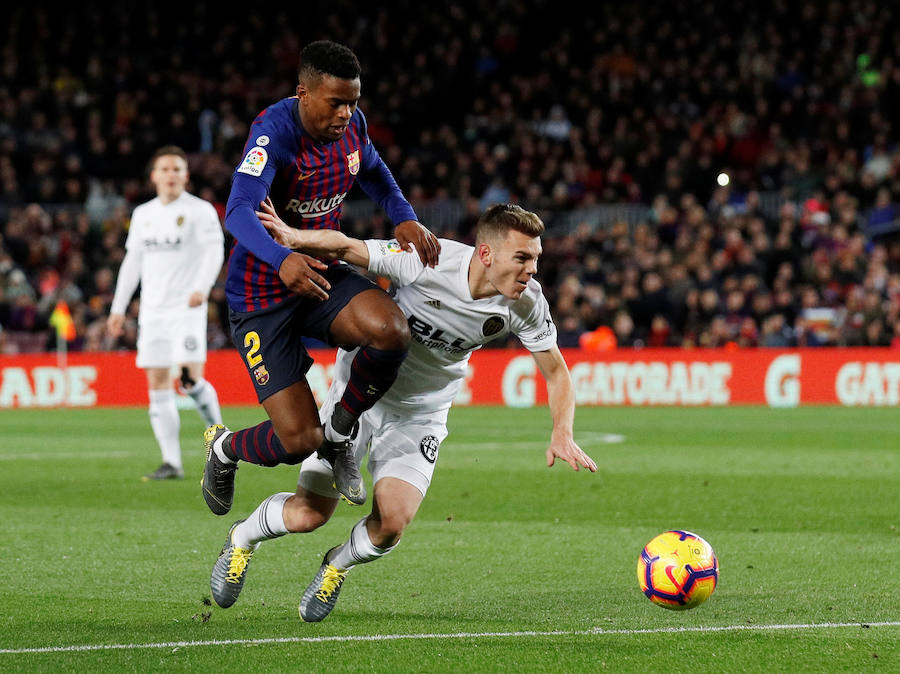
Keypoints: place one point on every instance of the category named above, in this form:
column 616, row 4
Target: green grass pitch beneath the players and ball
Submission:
column 801, row 506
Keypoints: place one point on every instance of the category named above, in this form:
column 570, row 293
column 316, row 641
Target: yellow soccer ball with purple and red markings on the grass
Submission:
column 678, row 570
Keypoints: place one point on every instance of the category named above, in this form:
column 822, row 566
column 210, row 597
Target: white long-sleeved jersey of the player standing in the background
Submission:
column 173, row 250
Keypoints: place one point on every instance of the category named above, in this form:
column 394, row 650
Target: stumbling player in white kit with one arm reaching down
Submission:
column 473, row 296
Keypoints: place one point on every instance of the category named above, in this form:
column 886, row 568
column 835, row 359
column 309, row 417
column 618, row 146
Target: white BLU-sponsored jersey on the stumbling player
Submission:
column 447, row 324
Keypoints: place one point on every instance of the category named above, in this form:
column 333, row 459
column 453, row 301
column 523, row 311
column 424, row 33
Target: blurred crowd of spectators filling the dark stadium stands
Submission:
column 477, row 102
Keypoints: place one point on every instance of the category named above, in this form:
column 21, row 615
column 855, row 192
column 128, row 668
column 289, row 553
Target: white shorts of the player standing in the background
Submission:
column 173, row 338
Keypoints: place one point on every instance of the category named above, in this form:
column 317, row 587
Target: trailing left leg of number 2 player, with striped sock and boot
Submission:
column 291, row 433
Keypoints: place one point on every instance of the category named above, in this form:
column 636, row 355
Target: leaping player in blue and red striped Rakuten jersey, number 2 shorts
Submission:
column 303, row 154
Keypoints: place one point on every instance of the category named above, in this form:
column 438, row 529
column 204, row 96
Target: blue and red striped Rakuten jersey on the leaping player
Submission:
column 308, row 182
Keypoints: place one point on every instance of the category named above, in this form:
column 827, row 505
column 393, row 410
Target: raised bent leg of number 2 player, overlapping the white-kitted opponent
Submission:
column 374, row 323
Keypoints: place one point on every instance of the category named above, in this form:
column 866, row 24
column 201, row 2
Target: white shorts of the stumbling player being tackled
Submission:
column 402, row 447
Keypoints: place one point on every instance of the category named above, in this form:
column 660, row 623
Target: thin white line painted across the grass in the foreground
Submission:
column 596, row 631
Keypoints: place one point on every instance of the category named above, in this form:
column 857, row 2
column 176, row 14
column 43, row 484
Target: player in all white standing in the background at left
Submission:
column 175, row 250
